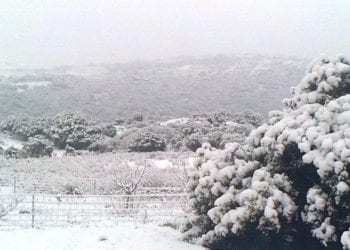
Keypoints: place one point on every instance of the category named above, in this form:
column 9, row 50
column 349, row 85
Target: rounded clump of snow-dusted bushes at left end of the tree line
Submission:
column 72, row 129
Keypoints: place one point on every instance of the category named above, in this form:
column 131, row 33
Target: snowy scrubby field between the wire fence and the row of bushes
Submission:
column 93, row 173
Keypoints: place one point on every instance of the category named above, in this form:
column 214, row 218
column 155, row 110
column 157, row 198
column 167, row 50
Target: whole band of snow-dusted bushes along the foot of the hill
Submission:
column 74, row 131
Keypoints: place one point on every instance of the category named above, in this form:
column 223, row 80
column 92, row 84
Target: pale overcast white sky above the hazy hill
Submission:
column 54, row 32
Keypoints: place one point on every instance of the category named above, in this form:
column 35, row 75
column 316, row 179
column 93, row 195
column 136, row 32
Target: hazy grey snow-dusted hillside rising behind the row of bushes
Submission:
column 158, row 89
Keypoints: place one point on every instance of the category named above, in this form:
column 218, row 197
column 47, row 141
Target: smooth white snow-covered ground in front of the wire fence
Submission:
column 121, row 237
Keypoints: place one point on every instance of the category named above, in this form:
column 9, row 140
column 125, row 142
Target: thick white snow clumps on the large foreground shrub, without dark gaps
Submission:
column 241, row 189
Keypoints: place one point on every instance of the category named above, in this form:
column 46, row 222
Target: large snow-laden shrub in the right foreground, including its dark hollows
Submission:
column 288, row 186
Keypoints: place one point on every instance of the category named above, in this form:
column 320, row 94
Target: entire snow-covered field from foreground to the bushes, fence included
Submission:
column 101, row 218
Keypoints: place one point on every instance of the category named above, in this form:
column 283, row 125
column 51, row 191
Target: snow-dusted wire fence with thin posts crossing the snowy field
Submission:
column 43, row 210
